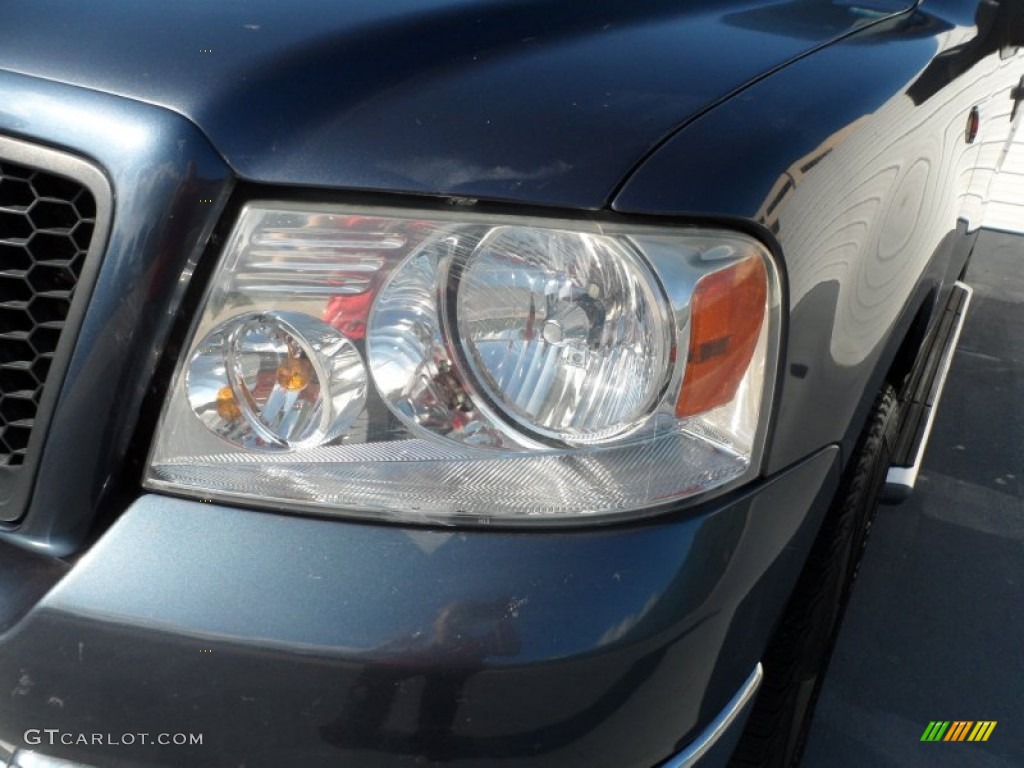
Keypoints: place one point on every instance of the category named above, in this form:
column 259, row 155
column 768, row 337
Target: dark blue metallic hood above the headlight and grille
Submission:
column 549, row 102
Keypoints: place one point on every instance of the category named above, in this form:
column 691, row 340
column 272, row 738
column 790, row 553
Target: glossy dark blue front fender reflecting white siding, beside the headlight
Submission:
column 854, row 162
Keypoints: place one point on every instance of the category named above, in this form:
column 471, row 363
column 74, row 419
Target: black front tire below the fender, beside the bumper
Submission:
column 798, row 654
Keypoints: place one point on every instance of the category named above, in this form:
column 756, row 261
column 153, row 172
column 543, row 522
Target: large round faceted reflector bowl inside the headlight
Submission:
column 566, row 332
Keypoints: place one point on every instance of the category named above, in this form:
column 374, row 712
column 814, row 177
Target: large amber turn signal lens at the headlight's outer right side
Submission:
column 728, row 312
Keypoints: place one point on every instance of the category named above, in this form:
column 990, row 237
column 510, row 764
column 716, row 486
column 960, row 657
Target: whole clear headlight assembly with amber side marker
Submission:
column 444, row 367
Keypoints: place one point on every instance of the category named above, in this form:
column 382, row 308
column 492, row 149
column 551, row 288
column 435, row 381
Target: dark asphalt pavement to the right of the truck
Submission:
column 935, row 628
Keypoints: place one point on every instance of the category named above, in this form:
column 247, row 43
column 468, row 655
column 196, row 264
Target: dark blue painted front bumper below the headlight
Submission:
column 290, row 641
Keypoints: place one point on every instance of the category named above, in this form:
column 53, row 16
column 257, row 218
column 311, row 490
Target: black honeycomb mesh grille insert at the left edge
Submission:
column 47, row 224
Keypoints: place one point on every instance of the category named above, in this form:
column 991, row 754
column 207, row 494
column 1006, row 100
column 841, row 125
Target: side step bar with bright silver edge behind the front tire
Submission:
column 923, row 401
